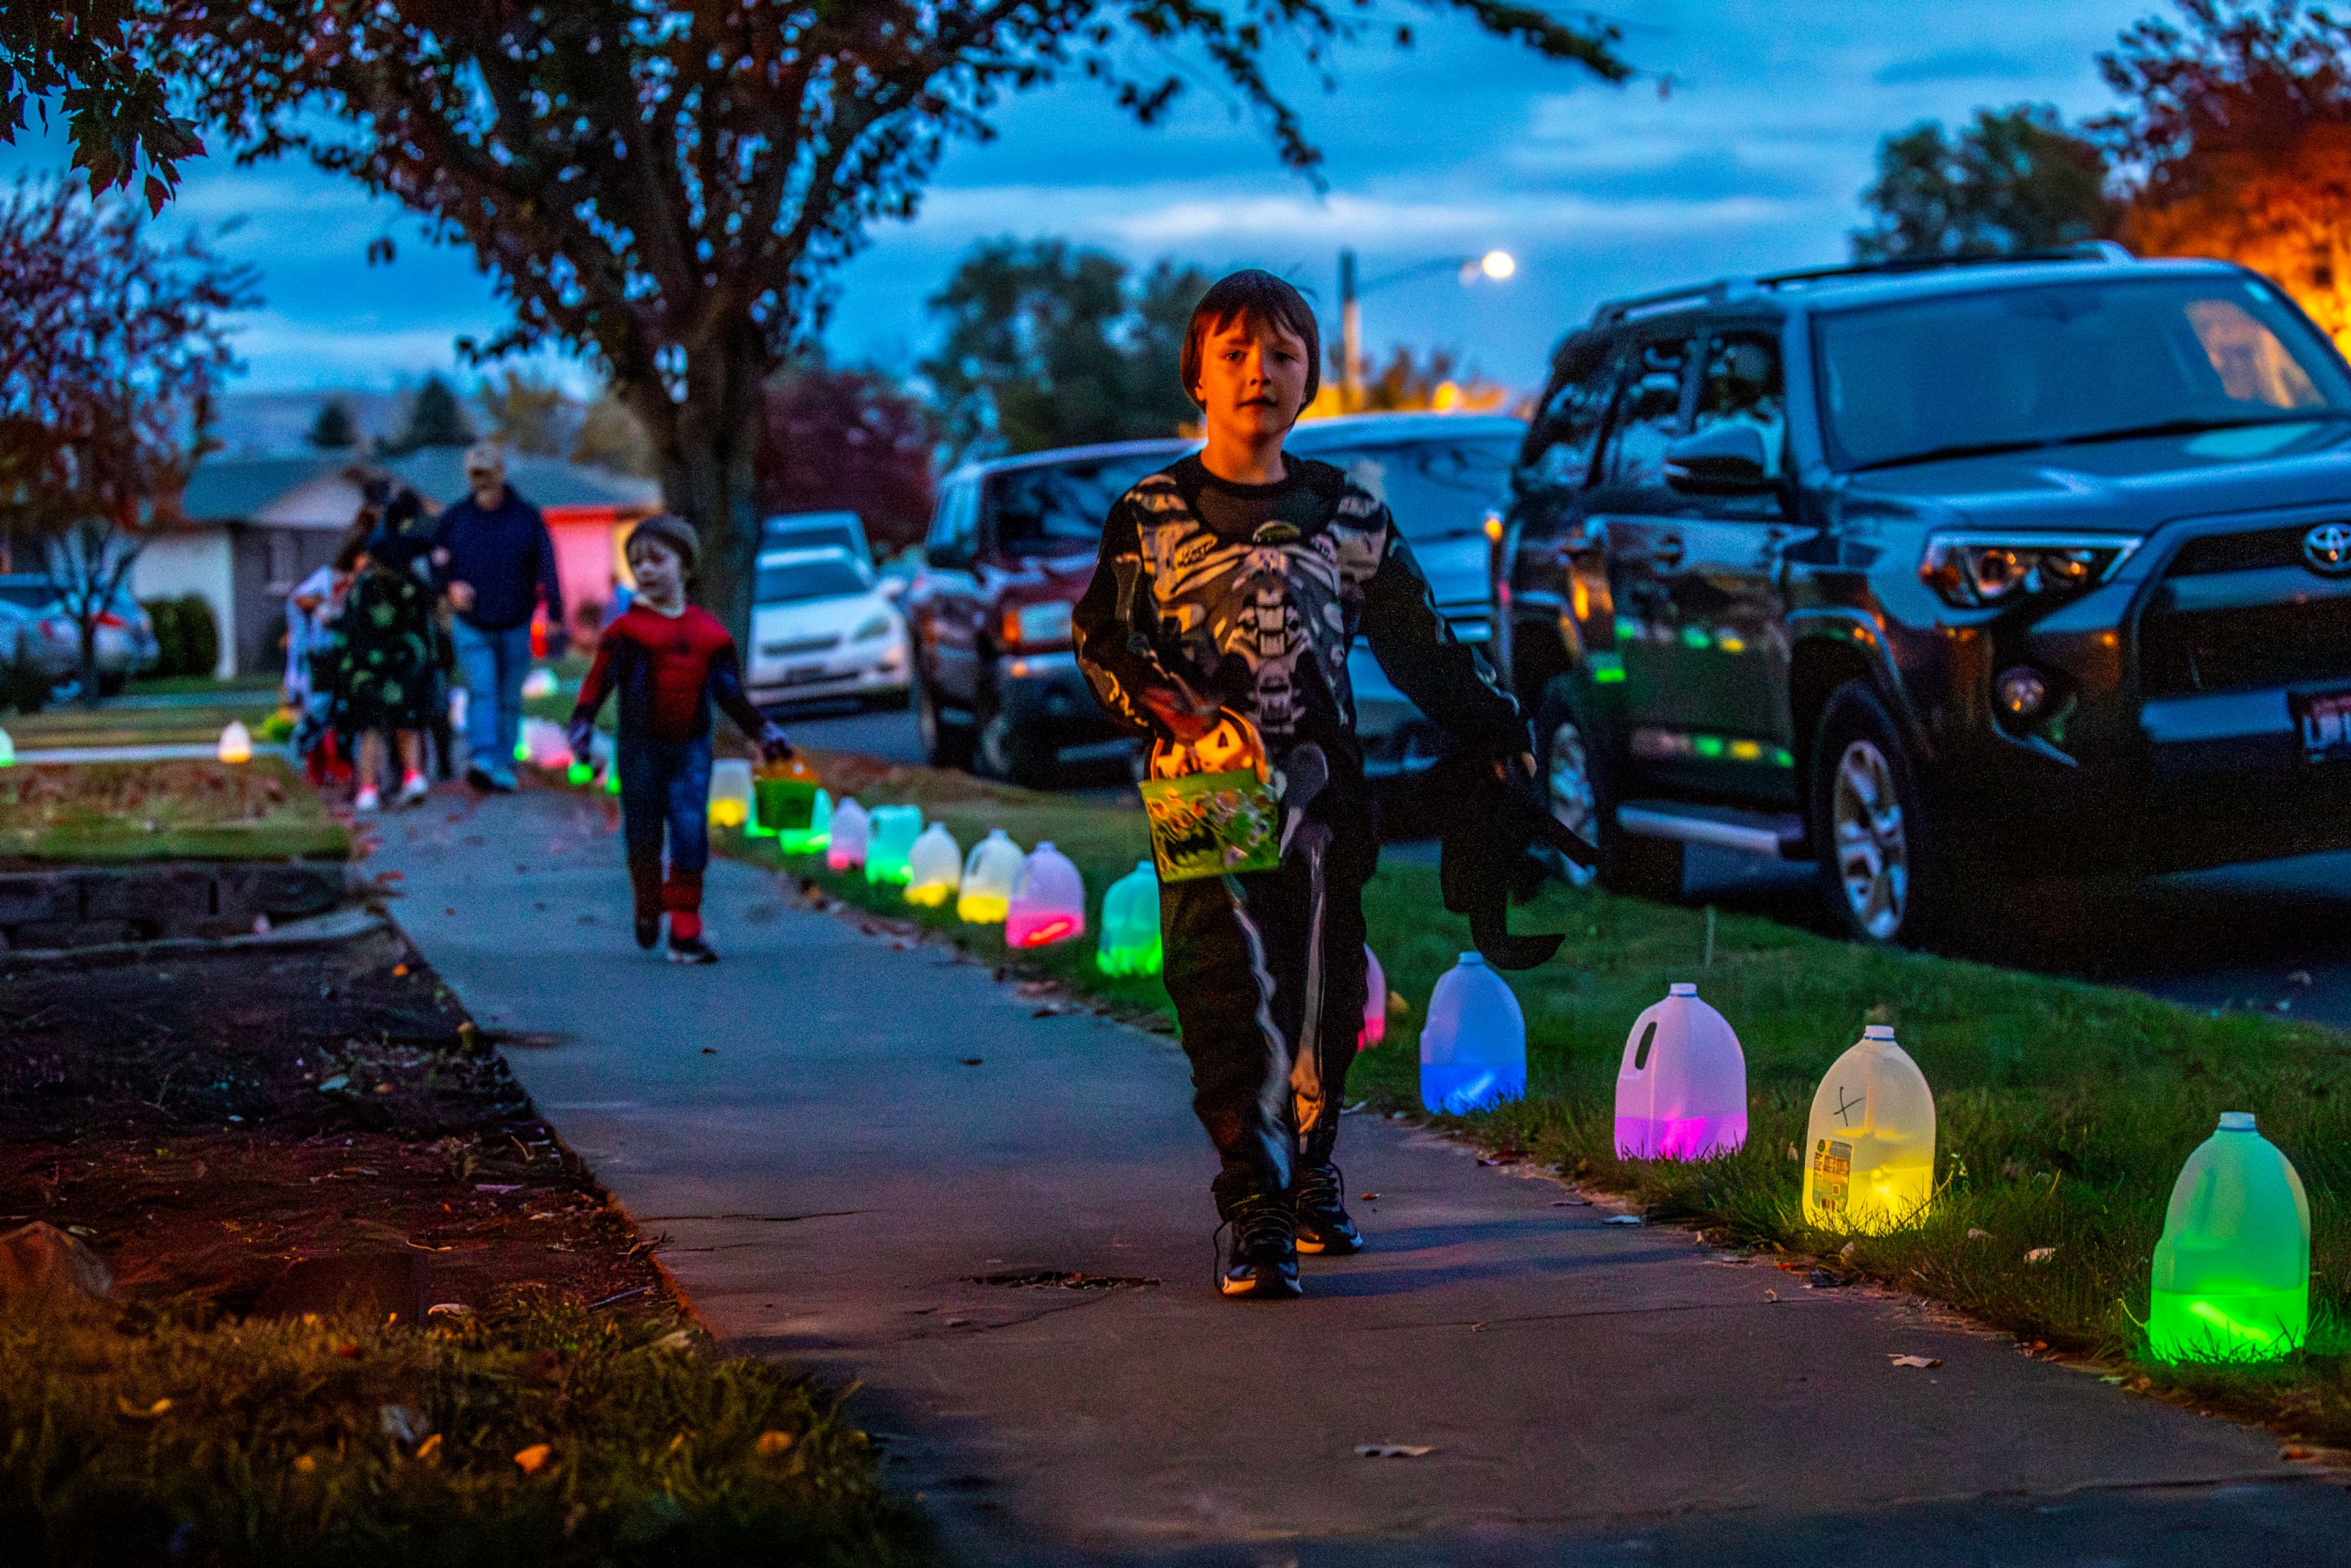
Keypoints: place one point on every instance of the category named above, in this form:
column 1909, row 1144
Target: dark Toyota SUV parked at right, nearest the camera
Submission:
column 1941, row 575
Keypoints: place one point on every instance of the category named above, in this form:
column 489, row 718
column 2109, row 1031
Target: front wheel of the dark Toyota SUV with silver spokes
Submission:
column 1880, row 871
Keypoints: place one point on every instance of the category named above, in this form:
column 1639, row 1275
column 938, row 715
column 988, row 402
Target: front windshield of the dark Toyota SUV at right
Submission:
column 2065, row 363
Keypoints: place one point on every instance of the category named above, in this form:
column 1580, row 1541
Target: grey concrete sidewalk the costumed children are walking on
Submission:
column 857, row 1151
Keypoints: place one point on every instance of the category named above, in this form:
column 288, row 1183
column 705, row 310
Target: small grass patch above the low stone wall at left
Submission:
column 163, row 812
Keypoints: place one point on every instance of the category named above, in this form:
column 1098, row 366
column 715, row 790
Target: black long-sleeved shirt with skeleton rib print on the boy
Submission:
column 1254, row 594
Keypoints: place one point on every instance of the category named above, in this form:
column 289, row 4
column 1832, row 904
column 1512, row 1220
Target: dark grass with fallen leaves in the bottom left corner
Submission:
column 342, row 1442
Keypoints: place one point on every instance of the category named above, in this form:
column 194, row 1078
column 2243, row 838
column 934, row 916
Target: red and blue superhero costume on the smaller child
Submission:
column 669, row 674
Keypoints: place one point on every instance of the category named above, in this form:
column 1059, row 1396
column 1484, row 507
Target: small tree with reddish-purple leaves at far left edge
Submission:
column 112, row 349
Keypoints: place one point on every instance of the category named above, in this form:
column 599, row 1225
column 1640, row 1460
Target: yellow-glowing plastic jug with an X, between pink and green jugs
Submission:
column 1873, row 1139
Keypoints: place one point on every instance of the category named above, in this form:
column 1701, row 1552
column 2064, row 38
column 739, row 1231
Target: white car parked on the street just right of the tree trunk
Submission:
column 824, row 634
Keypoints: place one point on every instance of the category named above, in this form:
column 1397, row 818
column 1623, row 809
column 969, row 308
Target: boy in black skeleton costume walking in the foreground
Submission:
column 1238, row 582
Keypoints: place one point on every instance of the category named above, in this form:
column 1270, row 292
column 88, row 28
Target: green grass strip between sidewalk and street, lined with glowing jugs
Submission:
column 2065, row 1111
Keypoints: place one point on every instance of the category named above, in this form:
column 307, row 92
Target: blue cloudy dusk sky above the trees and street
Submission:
column 1461, row 145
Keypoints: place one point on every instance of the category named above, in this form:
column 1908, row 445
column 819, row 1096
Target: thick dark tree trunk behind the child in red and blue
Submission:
column 706, row 476
